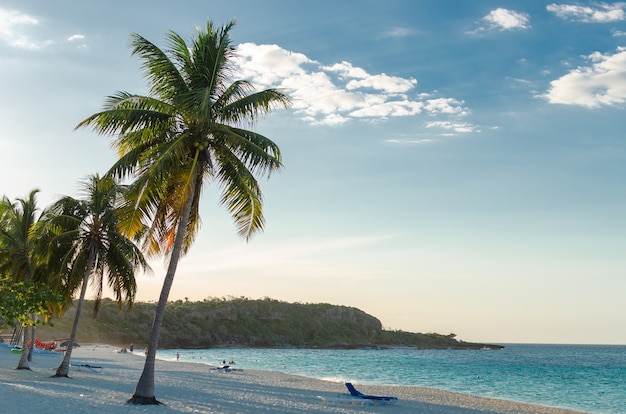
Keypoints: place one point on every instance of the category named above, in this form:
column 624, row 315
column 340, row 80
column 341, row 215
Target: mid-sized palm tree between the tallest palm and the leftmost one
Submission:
column 88, row 246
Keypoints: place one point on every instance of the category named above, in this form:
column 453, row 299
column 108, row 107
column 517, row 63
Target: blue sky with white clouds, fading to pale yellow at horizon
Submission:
column 449, row 166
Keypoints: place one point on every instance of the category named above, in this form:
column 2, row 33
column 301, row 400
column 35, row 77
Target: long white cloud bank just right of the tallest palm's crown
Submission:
column 337, row 93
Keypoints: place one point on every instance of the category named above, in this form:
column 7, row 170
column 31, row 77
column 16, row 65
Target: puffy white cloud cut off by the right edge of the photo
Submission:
column 602, row 83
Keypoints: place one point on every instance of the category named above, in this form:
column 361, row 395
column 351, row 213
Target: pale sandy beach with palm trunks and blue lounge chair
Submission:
column 196, row 388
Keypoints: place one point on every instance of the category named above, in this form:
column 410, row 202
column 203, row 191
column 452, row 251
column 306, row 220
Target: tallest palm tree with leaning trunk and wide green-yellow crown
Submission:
column 188, row 130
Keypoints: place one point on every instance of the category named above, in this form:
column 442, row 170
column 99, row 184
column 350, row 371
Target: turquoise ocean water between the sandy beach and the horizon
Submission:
column 588, row 378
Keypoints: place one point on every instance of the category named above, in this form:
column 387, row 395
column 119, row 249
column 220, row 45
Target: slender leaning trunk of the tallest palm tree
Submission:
column 144, row 391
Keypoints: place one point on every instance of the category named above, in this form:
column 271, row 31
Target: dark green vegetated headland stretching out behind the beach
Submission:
column 218, row 322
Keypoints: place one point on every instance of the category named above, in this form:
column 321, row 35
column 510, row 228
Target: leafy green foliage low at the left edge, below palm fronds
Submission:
column 19, row 300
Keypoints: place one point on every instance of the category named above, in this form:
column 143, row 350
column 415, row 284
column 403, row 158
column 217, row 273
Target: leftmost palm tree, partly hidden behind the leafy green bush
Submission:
column 18, row 253
